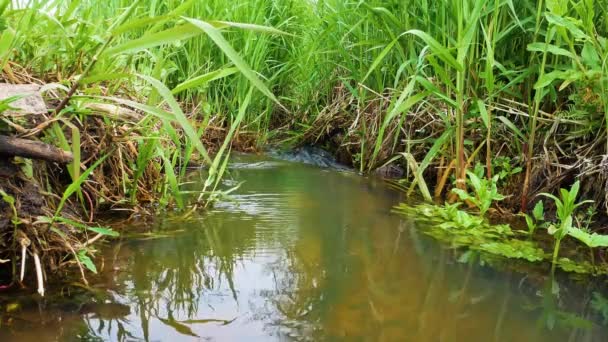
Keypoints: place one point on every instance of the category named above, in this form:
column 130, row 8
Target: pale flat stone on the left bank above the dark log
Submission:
column 32, row 103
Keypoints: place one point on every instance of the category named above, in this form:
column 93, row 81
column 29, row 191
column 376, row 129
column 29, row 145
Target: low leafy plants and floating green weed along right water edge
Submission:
column 461, row 229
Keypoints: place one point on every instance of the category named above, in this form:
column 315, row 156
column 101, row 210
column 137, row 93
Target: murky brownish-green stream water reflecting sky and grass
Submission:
column 297, row 253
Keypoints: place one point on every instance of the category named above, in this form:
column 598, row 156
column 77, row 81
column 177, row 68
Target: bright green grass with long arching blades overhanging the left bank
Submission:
column 109, row 51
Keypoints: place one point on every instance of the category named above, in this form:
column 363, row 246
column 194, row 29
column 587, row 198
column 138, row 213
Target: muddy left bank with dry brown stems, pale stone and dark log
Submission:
column 62, row 172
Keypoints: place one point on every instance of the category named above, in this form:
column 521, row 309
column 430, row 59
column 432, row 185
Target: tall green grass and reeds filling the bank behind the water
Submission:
column 509, row 77
